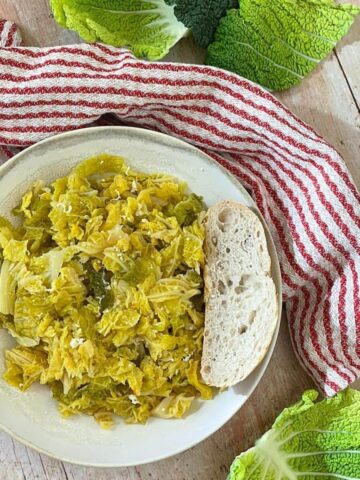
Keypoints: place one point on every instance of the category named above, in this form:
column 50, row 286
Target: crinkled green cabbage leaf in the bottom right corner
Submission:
column 308, row 440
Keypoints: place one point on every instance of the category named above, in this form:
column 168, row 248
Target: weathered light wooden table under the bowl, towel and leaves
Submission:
column 329, row 100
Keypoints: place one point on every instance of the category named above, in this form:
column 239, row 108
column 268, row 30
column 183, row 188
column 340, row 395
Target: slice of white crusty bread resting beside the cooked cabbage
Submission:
column 240, row 296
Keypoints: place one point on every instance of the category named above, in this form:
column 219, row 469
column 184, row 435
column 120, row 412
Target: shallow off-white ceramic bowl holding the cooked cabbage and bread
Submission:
column 32, row 417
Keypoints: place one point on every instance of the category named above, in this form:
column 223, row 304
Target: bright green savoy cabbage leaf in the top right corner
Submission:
column 278, row 43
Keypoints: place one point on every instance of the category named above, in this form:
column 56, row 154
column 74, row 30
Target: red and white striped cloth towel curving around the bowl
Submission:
column 299, row 182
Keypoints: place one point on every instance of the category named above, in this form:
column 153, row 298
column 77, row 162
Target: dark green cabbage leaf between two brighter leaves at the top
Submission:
column 202, row 16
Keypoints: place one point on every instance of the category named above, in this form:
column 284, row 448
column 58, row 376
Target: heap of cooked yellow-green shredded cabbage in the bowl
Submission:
column 101, row 288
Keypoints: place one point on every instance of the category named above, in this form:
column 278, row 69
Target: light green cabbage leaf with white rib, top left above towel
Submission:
column 148, row 28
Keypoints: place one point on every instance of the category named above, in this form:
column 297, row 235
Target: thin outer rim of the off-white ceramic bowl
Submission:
column 6, row 167
